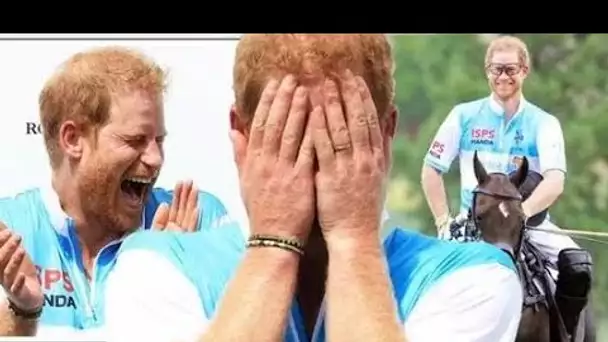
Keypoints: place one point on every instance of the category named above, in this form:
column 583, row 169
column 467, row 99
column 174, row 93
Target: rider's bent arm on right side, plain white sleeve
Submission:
column 552, row 159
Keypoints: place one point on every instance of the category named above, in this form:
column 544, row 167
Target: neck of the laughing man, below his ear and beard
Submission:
column 91, row 235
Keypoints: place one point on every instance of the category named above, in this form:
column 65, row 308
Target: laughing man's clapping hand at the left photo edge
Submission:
column 18, row 274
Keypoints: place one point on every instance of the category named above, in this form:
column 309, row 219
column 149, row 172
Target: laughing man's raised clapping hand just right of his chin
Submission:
column 182, row 215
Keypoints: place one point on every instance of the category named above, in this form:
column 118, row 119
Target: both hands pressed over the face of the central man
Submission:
column 282, row 187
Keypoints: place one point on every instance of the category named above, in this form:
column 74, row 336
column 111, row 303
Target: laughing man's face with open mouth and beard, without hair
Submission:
column 121, row 162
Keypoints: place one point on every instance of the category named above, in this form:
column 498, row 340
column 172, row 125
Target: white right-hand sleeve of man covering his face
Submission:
column 476, row 304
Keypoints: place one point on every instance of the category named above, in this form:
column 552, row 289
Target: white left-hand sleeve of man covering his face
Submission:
column 148, row 299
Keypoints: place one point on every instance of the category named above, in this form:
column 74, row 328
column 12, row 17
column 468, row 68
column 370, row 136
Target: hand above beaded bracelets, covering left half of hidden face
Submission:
column 276, row 165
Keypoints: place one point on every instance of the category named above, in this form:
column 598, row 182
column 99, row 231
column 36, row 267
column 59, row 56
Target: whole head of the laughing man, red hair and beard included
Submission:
column 103, row 125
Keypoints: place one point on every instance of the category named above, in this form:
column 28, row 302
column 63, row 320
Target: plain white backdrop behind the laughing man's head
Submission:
column 197, row 107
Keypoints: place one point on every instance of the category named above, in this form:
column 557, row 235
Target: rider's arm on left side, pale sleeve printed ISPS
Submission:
column 444, row 148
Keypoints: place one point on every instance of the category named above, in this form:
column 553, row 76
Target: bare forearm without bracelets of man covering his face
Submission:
column 359, row 288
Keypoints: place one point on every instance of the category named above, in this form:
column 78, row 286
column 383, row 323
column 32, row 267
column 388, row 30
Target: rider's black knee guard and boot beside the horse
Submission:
column 573, row 285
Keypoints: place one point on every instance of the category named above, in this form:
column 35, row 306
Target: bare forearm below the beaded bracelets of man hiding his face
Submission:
column 266, row 282
